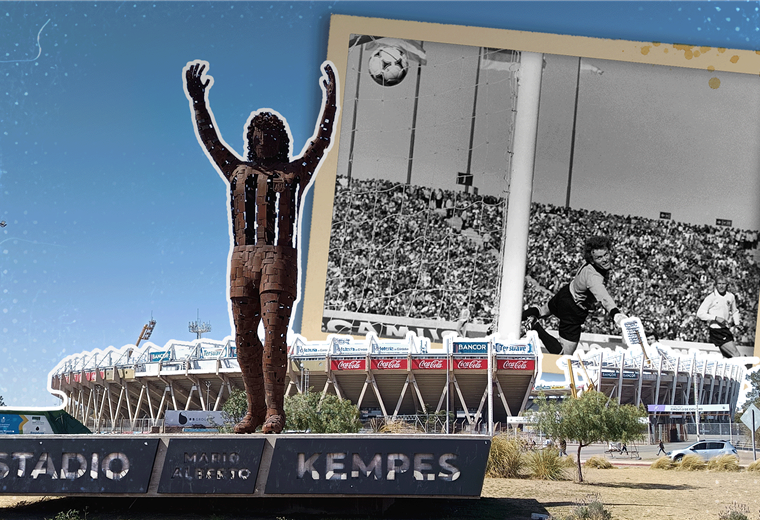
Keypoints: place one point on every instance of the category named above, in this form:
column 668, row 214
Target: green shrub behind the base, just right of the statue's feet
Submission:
column 321, row 414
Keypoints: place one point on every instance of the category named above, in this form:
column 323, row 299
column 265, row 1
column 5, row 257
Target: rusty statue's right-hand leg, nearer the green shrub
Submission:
column 276, row 308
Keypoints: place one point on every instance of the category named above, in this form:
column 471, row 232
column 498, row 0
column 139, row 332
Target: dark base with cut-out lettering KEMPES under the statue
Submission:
column 289, row 465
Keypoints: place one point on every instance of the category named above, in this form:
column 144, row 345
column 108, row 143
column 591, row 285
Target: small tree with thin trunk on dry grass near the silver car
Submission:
column 593, row 417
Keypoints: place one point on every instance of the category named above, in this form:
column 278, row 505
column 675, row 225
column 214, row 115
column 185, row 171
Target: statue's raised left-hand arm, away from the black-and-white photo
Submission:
column 196, row 85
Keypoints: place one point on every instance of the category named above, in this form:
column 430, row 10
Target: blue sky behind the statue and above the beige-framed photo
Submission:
column 113, row 210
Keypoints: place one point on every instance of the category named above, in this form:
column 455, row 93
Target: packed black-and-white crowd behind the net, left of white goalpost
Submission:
column 405, row 251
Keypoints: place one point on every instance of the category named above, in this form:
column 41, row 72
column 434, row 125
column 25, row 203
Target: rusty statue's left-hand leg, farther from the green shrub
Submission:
column 247, row 315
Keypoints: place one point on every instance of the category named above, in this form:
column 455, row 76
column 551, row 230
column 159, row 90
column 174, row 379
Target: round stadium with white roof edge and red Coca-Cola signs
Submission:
column 131, row 389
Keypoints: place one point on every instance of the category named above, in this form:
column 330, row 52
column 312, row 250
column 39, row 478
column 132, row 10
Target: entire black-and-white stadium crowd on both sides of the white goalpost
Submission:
column 417, row 252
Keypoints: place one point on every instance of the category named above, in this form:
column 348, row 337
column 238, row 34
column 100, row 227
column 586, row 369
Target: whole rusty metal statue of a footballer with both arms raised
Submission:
column 266, row 196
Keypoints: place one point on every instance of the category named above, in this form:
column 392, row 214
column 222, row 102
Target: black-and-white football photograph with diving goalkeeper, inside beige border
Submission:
column 646, row 175
